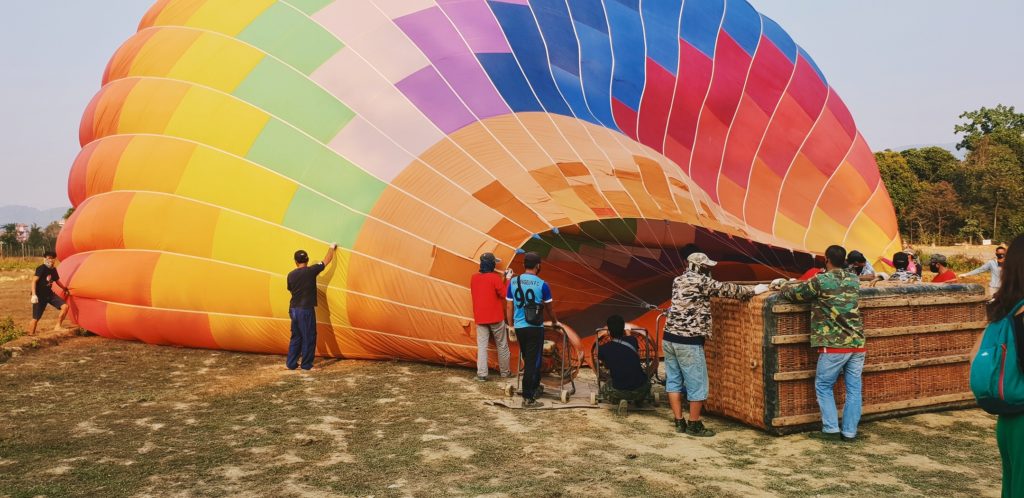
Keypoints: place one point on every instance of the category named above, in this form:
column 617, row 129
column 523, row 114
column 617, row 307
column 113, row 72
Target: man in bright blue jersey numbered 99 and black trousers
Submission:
column 525, row 293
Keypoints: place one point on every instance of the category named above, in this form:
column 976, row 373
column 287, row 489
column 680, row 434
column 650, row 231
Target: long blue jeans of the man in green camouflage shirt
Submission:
column 830, row 366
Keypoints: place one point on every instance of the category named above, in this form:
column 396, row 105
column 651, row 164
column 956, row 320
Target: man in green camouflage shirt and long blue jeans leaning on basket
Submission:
column 838, row 334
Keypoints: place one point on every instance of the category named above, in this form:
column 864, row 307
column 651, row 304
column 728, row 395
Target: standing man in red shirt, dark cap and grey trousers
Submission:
column 488, row 288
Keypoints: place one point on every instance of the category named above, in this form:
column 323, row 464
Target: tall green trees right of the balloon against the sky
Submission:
column 941, row 199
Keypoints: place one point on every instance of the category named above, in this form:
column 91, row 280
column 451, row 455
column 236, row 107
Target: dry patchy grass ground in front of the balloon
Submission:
column 98, row 418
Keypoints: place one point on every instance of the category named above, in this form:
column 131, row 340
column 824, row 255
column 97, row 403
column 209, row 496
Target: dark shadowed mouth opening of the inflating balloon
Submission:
column 626, row 267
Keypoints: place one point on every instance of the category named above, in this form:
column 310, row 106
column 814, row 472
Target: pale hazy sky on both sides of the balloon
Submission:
column 907, row 70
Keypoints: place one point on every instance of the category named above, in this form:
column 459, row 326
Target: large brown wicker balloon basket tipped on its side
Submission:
column 919, row 339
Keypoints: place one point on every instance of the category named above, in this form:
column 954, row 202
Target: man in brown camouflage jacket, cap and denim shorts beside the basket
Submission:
column 687, row 328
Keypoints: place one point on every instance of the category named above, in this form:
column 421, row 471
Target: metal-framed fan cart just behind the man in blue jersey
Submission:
column 560, row 365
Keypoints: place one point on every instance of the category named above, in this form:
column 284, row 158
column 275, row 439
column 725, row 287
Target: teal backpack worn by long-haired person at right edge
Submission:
column 996, row 377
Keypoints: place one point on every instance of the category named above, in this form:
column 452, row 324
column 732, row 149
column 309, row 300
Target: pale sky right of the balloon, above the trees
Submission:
column 908, row 69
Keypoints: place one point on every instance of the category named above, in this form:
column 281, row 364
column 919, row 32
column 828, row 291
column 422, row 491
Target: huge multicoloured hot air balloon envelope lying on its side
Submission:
column 614, row 138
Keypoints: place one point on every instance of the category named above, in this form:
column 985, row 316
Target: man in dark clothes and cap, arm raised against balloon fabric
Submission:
column 303, row 309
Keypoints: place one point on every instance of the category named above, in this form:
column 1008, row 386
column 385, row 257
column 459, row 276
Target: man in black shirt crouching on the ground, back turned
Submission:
column 621, row 357
